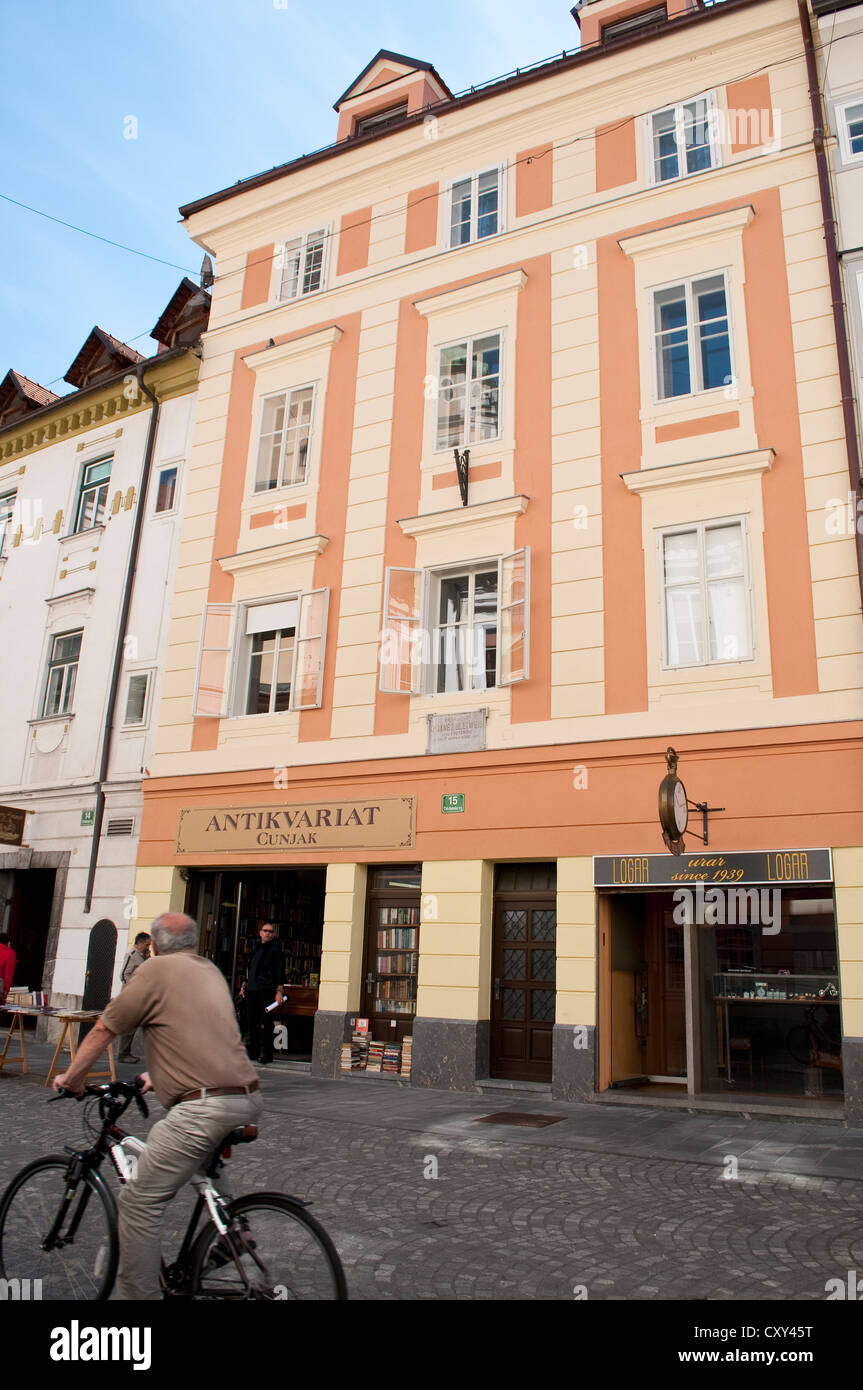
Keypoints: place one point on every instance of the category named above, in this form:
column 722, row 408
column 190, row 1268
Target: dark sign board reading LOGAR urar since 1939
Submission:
column 772, row 867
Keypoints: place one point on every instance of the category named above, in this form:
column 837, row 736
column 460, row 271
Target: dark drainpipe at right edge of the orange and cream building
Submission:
column 836, row 284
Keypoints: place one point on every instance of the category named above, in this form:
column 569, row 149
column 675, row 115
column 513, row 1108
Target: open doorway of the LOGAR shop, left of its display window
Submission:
column 648, row 992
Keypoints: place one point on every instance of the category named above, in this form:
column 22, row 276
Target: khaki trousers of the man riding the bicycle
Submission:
column 177, row 1147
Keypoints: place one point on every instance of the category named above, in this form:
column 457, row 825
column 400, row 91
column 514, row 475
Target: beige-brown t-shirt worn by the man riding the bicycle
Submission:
column 191, row 1033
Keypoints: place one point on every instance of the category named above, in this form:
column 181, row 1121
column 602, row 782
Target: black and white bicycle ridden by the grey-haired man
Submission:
column 59, row 1225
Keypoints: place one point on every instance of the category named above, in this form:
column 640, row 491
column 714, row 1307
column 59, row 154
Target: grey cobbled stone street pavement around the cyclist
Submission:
column 427, row 1202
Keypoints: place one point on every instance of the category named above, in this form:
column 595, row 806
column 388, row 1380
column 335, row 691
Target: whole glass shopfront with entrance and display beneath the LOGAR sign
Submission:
column 733, row 996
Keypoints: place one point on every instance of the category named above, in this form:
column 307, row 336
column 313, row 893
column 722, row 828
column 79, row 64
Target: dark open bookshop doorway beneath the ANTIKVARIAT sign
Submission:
column 231, row 907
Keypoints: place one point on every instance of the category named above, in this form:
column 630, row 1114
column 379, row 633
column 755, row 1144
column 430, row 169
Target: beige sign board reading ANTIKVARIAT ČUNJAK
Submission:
column 366, row 824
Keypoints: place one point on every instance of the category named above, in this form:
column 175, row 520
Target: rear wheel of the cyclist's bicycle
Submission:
column 273, row 1252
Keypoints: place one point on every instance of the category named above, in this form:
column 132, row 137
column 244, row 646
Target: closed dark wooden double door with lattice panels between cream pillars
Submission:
column 523, row 986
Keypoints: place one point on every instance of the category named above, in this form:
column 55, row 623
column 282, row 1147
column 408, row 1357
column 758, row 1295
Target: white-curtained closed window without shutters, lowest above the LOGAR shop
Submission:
column 707, row 594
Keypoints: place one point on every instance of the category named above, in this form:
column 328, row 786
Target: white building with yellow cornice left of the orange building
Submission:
column 91, row 494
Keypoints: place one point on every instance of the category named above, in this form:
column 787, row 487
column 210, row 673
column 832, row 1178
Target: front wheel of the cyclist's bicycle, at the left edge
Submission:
column 35, row 1206
